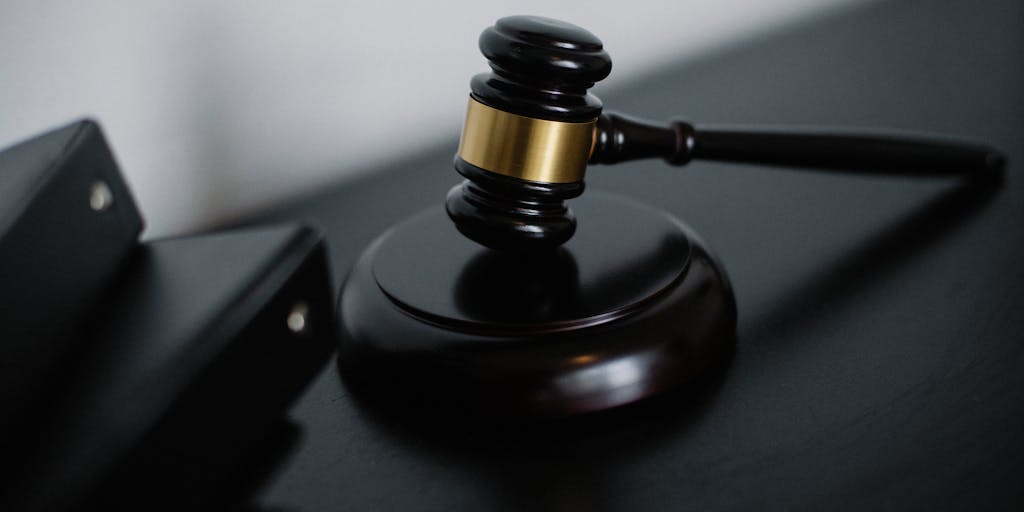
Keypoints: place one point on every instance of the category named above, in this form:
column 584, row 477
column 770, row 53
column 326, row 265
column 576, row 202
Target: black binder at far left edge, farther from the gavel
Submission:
column 67, row 223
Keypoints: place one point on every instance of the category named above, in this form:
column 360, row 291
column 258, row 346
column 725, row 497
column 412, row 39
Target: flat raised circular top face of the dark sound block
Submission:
column 624, row 254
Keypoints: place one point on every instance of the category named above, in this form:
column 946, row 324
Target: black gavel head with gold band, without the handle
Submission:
column 529, row 135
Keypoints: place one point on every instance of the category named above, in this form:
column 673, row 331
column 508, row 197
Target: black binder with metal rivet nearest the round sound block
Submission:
column 192, row 363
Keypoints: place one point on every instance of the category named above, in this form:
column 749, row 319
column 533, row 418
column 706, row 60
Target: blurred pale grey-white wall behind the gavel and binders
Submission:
column 216, row 108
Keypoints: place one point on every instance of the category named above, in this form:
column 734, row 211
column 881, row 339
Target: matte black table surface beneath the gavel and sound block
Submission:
column 880, row 336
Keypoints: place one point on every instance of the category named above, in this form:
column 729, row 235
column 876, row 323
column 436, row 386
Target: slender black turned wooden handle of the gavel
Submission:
column 620, row 139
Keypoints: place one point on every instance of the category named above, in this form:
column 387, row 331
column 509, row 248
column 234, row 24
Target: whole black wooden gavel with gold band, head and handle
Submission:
column 532, row 129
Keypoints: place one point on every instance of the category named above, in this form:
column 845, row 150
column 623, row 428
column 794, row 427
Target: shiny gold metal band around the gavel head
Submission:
column 536, row 150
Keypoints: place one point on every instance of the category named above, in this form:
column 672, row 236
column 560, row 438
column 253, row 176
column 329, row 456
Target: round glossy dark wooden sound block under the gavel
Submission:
column 633, row 306
